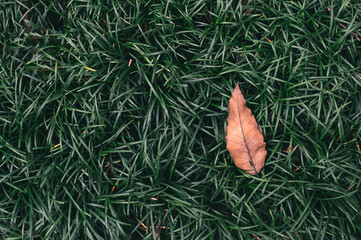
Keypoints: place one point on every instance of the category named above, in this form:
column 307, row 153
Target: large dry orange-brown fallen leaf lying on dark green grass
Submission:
column 244, row 139
